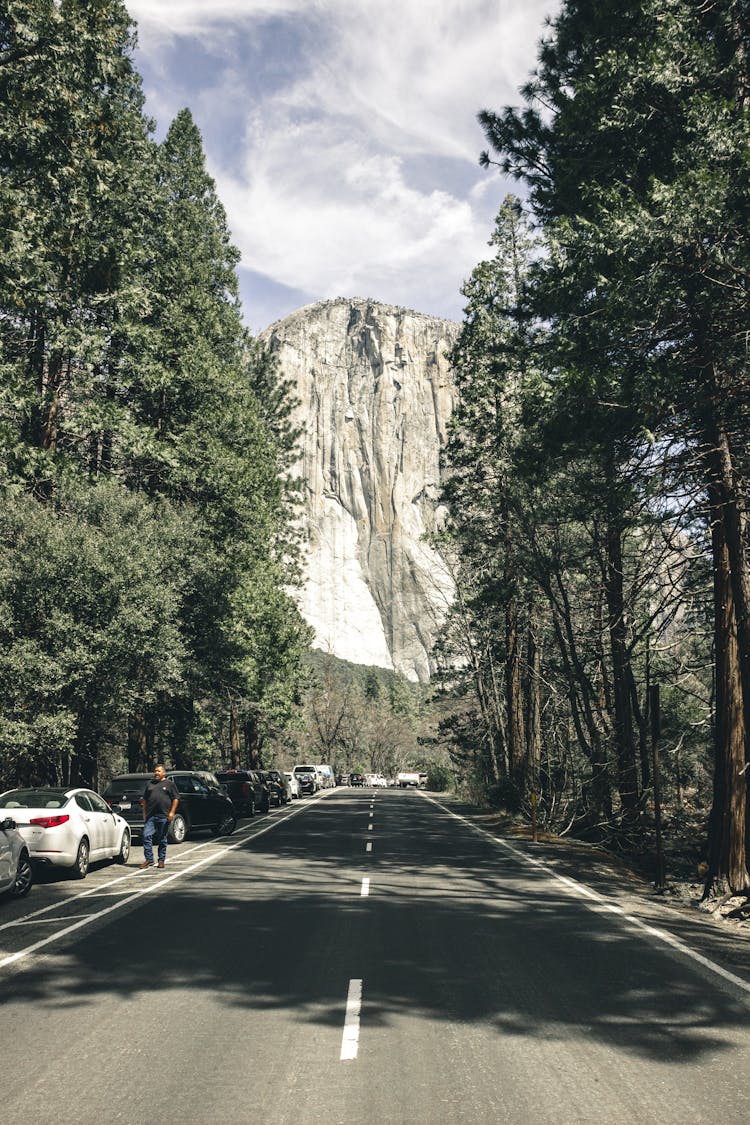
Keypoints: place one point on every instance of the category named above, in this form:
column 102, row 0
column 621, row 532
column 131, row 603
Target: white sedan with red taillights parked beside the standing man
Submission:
column 68, row 827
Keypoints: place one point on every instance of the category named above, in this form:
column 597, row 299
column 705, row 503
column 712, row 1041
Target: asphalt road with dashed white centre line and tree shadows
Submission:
column 364, row 958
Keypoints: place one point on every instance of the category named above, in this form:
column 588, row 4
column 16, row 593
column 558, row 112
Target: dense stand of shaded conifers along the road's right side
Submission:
column 598, row 469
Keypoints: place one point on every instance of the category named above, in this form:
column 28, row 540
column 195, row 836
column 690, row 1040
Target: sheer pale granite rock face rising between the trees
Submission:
column 376, row 395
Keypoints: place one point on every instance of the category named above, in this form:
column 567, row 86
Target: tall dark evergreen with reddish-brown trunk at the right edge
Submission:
column 638, row 165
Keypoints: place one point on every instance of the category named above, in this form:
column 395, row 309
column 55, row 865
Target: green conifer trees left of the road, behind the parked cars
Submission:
column 144, row 538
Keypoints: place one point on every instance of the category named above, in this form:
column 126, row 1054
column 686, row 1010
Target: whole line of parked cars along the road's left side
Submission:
column 73, row 827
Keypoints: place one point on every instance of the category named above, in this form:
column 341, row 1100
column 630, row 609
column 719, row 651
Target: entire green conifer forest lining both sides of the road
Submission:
column 597, row 474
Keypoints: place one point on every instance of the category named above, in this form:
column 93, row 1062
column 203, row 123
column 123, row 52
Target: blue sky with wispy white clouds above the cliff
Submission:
column 344, row 137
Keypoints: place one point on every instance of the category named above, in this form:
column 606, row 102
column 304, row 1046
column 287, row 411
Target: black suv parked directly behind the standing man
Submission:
column 203, row 803
